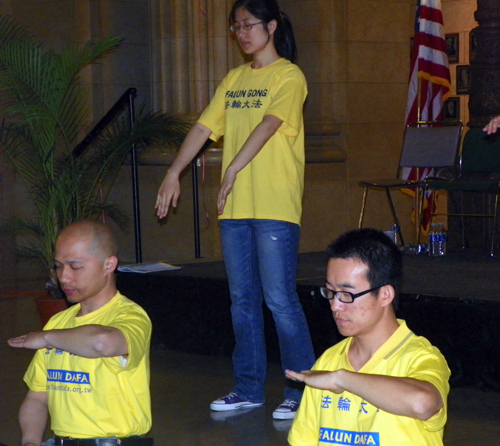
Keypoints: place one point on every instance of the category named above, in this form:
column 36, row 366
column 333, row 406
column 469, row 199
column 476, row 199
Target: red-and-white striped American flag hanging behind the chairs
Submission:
column 430, row 80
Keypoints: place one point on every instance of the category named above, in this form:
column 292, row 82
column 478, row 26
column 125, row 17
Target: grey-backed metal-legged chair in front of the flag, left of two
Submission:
column 425, row 145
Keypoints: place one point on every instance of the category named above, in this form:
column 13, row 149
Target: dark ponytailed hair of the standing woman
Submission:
column 267, row 10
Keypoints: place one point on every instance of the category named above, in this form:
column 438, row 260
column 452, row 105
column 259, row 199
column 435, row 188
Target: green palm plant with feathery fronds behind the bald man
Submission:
column 44, row 107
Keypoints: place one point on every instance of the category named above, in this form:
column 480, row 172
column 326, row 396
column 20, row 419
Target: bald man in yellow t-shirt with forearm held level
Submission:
column 90, row 372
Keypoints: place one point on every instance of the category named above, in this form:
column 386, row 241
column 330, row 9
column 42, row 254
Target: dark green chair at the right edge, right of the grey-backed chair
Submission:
column 479, row 172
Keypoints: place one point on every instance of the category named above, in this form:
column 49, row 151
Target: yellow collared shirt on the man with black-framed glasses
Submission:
column 326, row 418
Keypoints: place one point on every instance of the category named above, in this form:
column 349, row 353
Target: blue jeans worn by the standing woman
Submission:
column 261, row 262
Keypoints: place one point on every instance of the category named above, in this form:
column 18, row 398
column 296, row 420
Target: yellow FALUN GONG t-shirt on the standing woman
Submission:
column 272, row 184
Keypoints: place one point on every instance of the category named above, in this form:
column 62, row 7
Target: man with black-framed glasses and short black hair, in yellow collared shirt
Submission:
column 381, row 385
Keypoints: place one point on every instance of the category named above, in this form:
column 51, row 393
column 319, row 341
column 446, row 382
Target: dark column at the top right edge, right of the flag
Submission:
column 484, row 100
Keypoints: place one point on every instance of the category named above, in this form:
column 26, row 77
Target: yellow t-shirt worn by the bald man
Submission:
column 101, row 397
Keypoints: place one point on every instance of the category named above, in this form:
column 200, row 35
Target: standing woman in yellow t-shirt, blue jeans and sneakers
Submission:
column 258, row 109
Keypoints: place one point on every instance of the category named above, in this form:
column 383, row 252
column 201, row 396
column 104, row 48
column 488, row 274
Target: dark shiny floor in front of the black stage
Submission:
column 183, row 385
